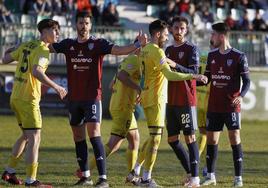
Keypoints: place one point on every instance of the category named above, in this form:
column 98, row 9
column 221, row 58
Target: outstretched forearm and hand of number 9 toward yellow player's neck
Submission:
column 125, row 50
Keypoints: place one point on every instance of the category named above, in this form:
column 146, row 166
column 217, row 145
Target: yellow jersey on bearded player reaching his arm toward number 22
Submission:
column 153, row 60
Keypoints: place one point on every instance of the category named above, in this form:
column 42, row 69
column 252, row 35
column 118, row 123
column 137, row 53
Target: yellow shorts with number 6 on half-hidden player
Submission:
column 123, row 121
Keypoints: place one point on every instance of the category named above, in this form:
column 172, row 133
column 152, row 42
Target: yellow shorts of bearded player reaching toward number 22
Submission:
column 155, row 115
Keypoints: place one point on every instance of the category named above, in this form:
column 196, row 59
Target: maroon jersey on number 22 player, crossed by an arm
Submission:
column 183, row 93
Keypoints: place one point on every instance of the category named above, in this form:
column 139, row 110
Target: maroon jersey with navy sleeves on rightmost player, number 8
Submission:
column 224, row 72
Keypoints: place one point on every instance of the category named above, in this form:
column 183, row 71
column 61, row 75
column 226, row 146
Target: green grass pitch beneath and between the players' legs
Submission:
column 57, row 161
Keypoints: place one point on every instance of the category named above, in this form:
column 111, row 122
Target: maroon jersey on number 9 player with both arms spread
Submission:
column 84, row 66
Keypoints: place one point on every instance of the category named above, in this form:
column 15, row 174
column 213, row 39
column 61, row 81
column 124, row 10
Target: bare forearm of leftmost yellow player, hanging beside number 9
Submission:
column 39, row 73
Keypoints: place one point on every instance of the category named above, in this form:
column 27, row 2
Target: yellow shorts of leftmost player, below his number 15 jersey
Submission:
column 28, row 114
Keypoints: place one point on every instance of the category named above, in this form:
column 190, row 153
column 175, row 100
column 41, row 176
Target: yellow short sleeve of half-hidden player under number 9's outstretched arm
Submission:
column 130, row 64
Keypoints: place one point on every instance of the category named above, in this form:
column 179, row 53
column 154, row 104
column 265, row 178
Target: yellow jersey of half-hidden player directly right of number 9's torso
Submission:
column 124, row 97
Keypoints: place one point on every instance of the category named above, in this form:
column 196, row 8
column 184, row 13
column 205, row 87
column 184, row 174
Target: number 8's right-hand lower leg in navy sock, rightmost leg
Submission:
column 235, row 141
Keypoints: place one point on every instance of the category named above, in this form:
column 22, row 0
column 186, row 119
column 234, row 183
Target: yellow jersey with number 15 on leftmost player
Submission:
column 26, row 87
